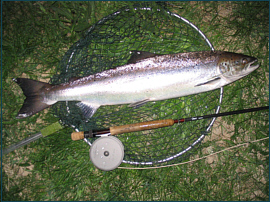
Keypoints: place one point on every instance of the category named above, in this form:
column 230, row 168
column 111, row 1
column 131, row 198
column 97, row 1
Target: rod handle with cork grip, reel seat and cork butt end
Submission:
column 115, row 130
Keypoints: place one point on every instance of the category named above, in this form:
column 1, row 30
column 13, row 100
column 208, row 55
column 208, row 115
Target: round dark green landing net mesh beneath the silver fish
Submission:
column 108, row 44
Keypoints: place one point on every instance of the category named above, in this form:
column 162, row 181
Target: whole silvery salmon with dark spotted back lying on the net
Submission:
column 146, row 77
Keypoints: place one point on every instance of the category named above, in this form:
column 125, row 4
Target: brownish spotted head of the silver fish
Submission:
column 234, row 66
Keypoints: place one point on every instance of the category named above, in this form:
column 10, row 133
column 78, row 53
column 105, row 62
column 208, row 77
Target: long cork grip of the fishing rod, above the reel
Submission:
column 141, row 126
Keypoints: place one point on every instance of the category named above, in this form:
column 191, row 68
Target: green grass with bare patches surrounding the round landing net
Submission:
column 36, row 36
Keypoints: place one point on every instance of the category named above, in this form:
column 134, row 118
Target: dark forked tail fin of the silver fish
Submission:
column 33, row 102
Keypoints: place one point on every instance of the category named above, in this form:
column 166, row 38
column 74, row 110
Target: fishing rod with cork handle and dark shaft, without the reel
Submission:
column 149, row 125
